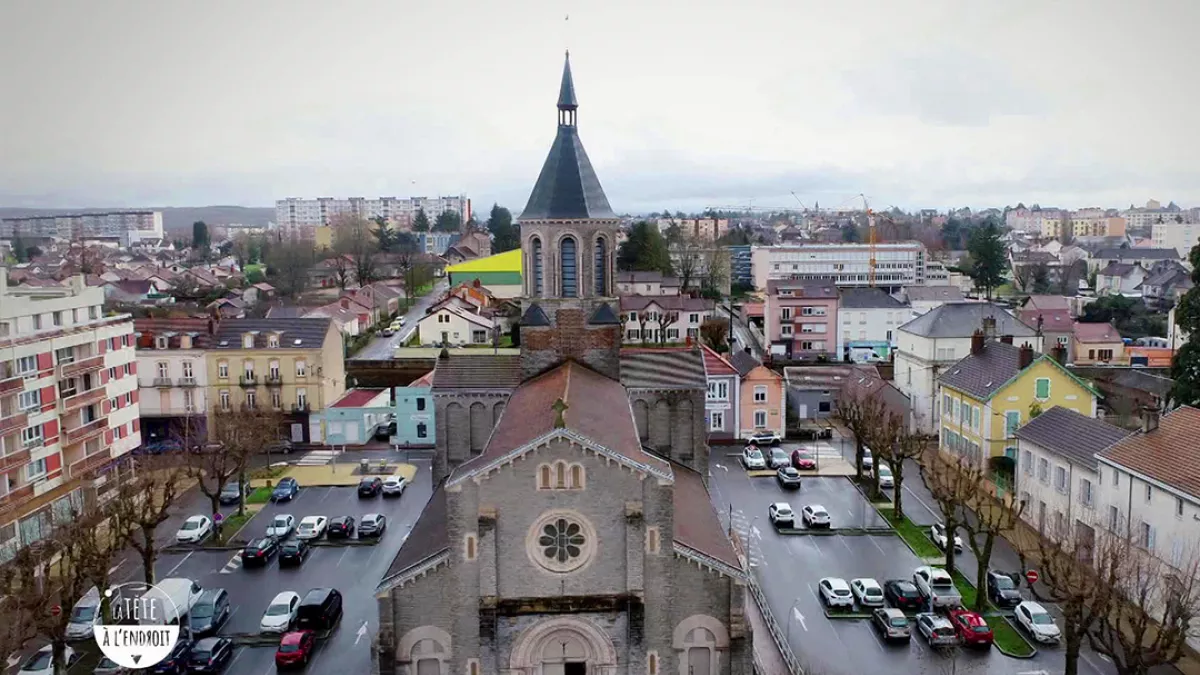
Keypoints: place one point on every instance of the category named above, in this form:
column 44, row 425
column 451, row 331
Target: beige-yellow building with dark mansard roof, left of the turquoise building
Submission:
column 291, row 366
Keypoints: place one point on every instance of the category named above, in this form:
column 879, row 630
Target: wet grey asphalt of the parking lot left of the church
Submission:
column 352, row 570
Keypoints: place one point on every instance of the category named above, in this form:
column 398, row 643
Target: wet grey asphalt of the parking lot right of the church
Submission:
column 789, row 569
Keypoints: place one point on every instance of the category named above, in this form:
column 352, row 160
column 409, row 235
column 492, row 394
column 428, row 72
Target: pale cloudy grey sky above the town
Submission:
column 683, row 105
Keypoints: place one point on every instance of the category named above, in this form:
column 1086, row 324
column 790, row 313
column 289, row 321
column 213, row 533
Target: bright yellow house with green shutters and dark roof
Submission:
column 988, row 396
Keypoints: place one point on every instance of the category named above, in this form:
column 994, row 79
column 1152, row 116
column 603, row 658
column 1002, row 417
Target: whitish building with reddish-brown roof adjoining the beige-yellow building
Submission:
column 173, row 377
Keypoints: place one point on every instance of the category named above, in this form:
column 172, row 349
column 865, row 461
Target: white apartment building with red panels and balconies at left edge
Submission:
column 69, row 405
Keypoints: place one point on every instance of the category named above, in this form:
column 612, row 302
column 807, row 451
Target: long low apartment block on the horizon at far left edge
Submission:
column 127, row 228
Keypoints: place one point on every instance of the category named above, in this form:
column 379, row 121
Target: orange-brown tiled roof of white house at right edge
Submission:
column 1168, row 455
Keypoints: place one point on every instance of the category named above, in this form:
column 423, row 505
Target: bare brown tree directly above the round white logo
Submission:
column 145, row 501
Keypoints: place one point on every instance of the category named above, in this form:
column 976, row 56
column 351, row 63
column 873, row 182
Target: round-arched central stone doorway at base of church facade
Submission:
column 565, row 647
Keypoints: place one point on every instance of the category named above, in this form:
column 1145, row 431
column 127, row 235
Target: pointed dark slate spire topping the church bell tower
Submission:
column 568, row 188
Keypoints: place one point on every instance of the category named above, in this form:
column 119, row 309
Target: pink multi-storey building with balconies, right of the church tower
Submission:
column 801, row 319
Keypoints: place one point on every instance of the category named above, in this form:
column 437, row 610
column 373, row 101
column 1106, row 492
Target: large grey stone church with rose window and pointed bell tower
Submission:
column 571, row 529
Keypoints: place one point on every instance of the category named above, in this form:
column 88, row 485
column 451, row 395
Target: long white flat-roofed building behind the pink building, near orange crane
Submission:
column 897, row 265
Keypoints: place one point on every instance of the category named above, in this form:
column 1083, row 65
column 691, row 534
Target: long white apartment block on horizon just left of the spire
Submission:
column 295, row 212
